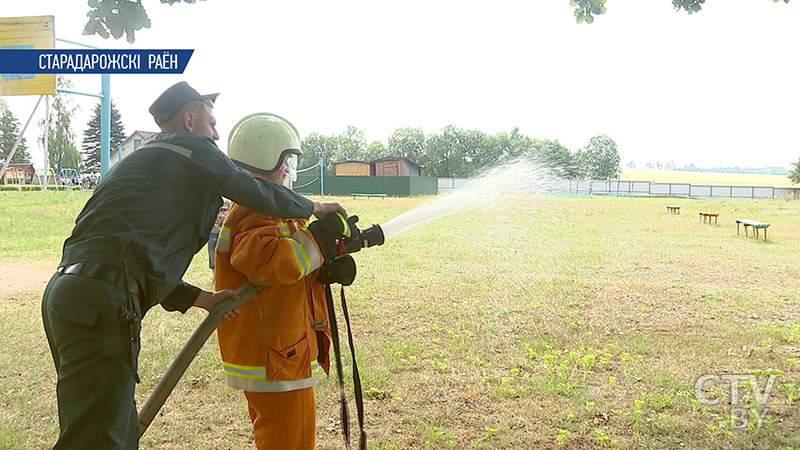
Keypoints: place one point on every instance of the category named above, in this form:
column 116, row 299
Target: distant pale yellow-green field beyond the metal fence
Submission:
column 707, row 178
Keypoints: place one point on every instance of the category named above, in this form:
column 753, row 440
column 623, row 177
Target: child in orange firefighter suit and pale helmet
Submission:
column 273, row 349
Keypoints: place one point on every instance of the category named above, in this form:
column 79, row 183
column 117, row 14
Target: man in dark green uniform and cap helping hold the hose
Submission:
column 129, row 249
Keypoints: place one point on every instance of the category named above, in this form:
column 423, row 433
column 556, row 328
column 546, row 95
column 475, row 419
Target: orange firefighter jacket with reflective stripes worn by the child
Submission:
column 272, row 345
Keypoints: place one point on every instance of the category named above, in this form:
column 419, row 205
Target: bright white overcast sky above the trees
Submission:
column 716, row 88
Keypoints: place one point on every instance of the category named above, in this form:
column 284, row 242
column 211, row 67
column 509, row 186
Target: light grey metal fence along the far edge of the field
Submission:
column 648, row 188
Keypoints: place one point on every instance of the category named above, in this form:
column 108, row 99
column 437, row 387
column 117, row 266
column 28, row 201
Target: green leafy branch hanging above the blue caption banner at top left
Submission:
column 119, row 17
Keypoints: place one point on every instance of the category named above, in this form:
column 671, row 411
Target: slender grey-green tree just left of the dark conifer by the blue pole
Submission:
column 61, row 149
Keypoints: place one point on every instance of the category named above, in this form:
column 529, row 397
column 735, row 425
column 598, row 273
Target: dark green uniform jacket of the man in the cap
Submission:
column 155, row 209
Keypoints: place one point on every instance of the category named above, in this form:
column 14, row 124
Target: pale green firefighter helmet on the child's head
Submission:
column 259, row 141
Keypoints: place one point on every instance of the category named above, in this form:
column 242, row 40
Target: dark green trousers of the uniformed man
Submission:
column 92, row 353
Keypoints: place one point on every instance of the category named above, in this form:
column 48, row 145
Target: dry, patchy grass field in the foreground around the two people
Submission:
column 542, row 323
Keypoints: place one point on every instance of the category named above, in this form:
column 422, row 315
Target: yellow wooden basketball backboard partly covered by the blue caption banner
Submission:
column 21, row 33
